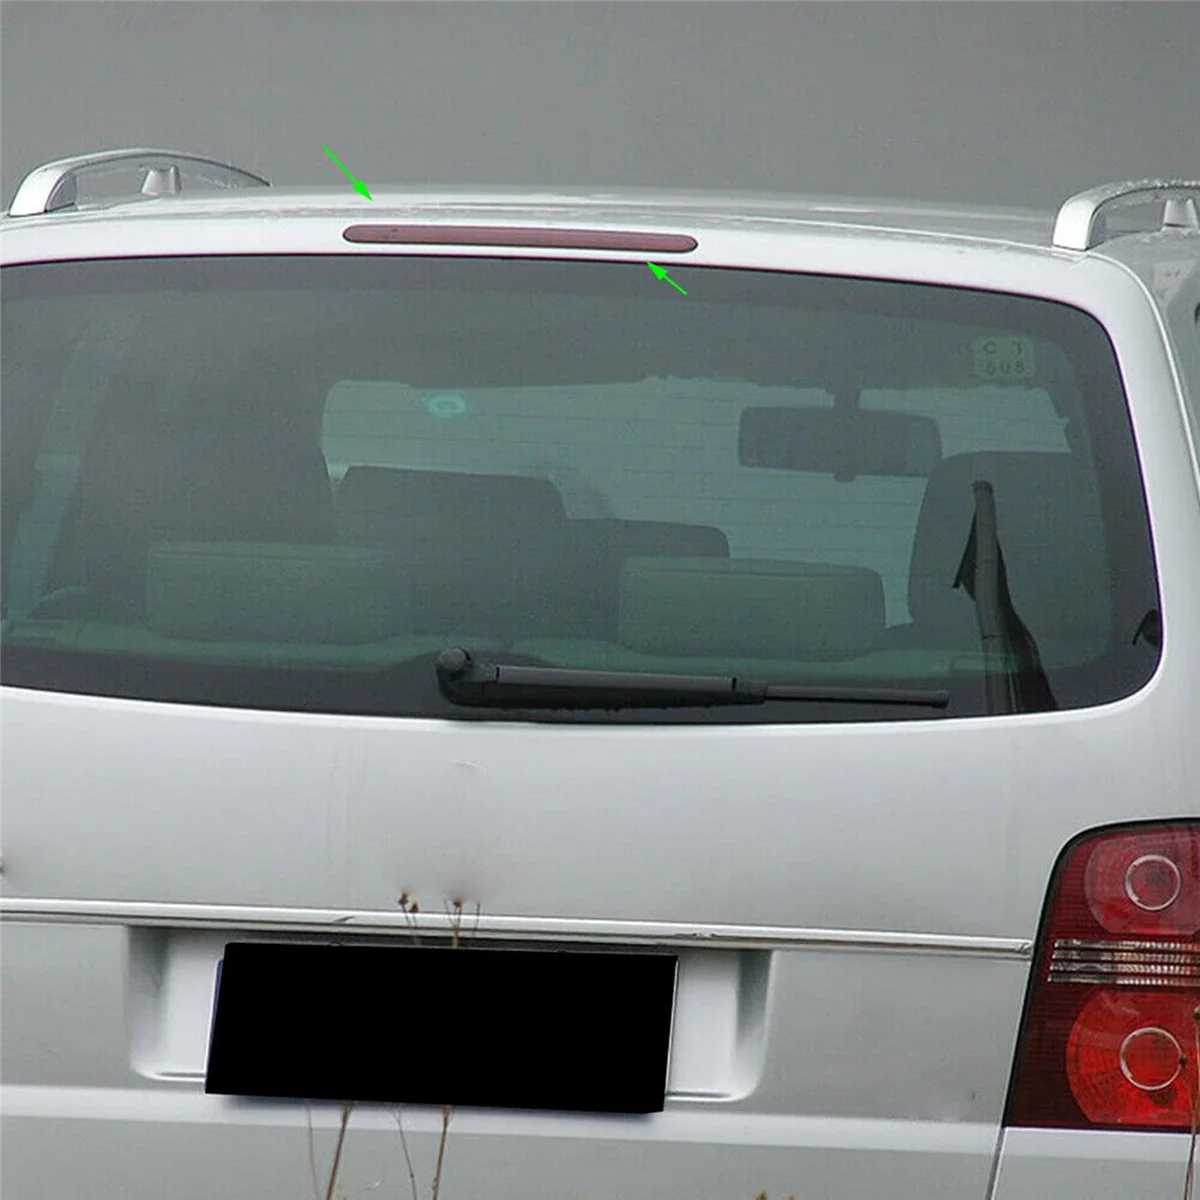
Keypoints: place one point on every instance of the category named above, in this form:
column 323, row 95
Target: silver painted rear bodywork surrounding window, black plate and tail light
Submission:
column 838, row 1033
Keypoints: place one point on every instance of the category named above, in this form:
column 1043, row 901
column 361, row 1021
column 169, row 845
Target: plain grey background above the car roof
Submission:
column 999, row 101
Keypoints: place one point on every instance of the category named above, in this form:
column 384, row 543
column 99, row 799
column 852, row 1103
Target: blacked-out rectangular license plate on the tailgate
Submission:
column 514, row 1029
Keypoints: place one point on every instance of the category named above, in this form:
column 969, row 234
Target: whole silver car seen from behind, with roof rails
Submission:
column 531, row 697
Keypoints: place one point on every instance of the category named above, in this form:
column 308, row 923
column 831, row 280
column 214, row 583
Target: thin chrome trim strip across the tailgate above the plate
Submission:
column 250, row 917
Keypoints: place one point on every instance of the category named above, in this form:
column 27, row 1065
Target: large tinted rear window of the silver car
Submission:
column 295, row 483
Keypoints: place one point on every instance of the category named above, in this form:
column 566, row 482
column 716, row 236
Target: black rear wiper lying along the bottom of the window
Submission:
column 466, row 680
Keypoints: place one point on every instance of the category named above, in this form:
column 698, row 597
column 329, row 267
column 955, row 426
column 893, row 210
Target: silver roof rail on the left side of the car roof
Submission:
column 53, row 187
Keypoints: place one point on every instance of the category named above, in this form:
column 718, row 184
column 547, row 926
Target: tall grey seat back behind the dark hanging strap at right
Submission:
column 1051, row 533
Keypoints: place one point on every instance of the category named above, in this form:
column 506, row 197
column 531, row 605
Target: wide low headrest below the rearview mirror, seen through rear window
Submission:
column 742, row 608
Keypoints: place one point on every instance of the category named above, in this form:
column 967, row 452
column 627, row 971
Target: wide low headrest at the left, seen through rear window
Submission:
column 273, row 592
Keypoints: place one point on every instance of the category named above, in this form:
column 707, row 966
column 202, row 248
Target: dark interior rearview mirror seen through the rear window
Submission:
column 843, row 443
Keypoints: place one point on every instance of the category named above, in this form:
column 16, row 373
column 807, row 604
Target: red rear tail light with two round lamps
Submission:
column 1112, row 1030
